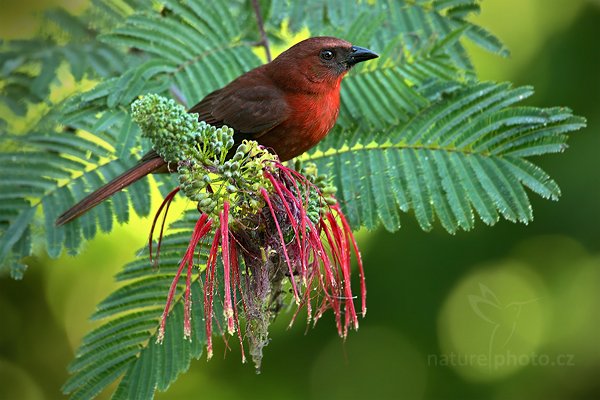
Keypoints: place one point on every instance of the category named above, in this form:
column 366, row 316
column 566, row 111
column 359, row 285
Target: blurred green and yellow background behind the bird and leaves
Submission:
column 503, row 312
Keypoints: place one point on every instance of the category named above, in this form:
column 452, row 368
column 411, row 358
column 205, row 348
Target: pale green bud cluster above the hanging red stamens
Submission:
column 210, row 171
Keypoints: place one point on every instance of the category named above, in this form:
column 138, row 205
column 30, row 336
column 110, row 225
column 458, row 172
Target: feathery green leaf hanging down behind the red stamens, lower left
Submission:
column 125, row 345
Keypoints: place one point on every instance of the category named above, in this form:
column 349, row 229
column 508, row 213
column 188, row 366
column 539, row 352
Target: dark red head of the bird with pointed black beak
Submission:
column 322, row 59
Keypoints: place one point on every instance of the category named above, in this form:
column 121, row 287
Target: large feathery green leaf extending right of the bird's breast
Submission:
column 465, row 151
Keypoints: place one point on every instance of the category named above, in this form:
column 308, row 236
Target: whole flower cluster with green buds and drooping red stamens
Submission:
column 270, row 226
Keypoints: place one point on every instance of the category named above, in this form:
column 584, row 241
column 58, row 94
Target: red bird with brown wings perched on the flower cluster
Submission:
column 287, row 105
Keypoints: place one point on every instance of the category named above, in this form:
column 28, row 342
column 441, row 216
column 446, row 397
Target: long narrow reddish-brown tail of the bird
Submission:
column 119, row 183
